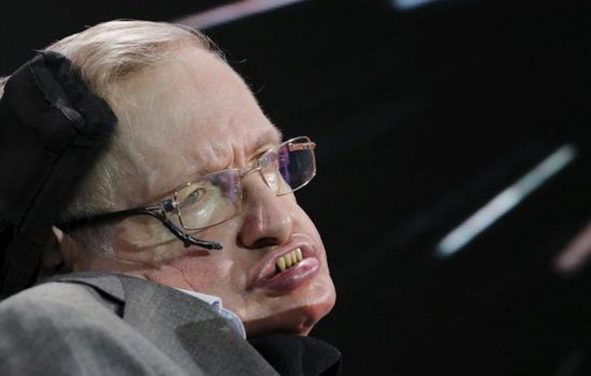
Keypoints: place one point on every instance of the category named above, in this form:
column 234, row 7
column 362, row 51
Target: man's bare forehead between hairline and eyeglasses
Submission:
column 192, row 114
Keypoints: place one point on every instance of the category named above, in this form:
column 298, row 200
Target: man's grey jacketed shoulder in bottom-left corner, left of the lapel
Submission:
column 69, row 329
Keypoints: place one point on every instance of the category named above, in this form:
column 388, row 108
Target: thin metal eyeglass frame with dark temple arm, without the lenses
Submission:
column 171, row 204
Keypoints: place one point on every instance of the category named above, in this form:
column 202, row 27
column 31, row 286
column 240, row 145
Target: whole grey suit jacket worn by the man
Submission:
column 109, row 324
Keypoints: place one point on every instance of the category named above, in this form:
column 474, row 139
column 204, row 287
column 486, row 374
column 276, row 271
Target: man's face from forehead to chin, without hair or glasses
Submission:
column 194, row 115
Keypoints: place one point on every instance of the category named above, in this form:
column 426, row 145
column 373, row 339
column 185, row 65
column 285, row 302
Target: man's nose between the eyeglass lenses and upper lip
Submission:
column 267, row 219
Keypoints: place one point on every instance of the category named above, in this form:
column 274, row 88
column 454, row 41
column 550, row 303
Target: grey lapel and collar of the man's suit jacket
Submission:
column 183, row 327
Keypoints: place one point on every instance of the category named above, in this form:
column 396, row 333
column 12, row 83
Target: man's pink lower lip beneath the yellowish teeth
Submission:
column 291, row 278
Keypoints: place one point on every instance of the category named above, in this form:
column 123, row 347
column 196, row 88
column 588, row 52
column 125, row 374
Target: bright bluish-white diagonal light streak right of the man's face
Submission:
column 505, row 201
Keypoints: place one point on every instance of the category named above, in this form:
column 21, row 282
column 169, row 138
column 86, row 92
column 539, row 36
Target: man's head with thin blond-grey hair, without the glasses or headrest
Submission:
column 184, row 113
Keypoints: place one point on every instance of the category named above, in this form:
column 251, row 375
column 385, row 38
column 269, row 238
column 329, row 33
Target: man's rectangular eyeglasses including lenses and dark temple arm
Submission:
column 217, row 197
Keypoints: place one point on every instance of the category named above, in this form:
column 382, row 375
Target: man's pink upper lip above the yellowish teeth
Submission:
column 265, row 268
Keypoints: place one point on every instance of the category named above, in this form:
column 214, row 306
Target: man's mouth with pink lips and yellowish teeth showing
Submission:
column 287, row 271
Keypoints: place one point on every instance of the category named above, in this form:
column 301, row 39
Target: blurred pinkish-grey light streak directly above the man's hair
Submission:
column 232, row 12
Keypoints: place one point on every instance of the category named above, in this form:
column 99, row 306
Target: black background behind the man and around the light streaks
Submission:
column 421, row 117
